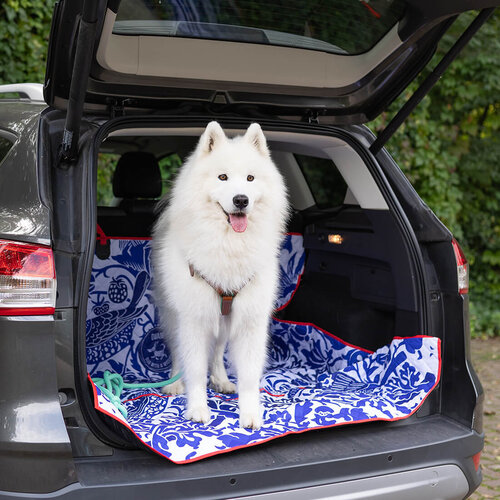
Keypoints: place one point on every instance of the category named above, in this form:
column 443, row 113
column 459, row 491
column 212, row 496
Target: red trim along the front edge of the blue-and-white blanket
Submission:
column 438, row 378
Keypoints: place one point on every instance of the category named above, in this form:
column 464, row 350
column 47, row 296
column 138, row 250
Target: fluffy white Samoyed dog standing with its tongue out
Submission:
column 216, row 263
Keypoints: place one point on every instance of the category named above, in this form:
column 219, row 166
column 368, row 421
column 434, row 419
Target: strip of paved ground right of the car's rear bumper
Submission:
column 486, row 359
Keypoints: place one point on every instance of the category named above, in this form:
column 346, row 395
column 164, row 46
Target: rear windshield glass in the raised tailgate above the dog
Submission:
column 336, row 26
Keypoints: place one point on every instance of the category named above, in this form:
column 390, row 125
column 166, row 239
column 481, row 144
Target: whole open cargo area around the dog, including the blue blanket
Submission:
column 347, row 297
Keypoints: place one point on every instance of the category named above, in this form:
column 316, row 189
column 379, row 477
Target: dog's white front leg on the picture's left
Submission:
column 194, row 344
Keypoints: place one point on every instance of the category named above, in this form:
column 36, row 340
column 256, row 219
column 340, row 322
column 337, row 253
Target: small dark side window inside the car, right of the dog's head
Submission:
column 324, row 180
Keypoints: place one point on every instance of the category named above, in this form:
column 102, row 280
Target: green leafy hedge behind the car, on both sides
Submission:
column 449, row 147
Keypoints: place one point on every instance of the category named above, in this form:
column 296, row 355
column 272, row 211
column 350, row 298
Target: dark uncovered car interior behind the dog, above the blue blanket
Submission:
column 358, row 281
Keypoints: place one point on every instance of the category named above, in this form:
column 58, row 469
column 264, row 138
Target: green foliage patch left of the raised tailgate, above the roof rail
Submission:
column 24, row 35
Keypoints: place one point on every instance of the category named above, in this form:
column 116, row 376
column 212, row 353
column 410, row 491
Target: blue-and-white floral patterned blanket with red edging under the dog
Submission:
column 313, row 379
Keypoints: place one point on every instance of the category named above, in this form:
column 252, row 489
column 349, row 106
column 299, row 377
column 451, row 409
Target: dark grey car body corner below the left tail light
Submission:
column 35, row 449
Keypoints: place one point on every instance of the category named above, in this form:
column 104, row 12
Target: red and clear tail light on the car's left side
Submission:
column 27, row 279
